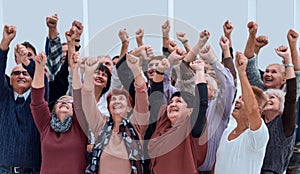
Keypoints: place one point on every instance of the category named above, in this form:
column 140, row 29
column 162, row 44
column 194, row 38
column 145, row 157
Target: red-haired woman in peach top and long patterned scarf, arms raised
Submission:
column 117, row 138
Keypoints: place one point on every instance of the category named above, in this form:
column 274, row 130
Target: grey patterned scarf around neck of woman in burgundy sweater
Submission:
column 59, row 126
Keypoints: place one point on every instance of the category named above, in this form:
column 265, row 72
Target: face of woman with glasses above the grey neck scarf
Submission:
column 63, row 106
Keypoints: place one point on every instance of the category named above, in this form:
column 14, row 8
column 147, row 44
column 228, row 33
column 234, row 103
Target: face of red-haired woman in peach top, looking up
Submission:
column 118, row 106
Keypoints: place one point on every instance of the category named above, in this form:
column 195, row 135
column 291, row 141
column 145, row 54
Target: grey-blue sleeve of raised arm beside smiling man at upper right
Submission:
column 253, row 73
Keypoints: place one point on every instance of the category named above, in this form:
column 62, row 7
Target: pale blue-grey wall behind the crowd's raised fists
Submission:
column 105, row 18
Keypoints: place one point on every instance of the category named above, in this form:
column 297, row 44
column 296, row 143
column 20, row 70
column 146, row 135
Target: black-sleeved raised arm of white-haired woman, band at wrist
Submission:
column 289, row 112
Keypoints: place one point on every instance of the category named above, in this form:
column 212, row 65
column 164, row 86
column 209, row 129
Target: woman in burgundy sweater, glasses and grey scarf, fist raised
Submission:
column 61, row 135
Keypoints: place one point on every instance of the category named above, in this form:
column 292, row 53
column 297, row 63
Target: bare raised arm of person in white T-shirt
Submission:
column 250, row 106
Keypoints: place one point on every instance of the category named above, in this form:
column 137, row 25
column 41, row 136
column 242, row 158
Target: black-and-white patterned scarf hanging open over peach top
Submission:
column 132, row 143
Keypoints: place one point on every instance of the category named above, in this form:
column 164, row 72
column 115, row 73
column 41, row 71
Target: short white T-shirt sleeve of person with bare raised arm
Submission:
column 259, row 138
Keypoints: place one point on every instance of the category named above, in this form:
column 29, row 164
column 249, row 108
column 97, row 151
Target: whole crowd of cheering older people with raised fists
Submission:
column 142, row 113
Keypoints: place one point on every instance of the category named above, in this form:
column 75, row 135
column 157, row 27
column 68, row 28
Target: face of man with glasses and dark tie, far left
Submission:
column 20, row 82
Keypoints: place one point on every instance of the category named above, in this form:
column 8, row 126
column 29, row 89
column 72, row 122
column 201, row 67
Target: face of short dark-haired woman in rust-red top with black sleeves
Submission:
column 176, row 109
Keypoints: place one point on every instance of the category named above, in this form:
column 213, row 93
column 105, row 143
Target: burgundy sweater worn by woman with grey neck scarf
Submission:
column 62, row 153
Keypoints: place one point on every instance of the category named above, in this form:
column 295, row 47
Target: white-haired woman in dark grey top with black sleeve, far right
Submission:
column 279, row 114
